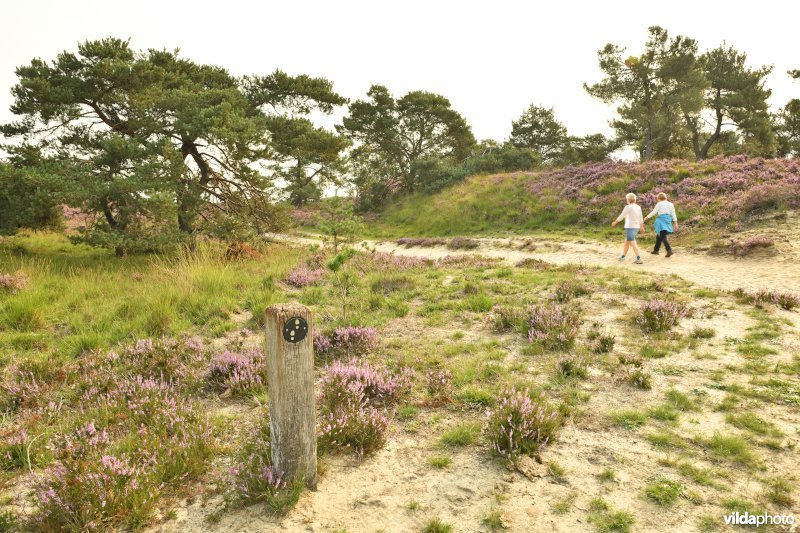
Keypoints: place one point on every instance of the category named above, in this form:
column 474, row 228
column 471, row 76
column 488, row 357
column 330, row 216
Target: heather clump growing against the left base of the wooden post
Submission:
column 255, row 479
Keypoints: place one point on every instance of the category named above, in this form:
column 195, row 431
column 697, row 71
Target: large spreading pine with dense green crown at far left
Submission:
column 158, row 145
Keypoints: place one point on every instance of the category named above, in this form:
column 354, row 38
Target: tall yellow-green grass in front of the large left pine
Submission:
column 79, row 298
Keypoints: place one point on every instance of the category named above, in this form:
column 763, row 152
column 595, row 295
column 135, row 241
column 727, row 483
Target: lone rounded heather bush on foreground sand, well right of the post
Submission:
column 521, row 423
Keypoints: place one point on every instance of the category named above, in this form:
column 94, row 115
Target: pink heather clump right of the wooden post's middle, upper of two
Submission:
column 357, row 378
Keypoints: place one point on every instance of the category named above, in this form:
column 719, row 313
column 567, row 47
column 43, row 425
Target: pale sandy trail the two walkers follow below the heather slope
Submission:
column 781, row 271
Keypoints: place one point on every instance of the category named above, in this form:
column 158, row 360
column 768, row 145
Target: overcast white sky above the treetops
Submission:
column 491, row 58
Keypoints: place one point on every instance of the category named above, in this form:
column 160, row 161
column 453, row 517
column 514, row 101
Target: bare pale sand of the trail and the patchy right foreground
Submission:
column 375, row 494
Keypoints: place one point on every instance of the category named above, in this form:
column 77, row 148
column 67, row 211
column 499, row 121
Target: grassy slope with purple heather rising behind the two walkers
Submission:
column 731, row 193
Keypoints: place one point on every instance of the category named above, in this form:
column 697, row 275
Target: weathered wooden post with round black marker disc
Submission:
column 290, row 379
